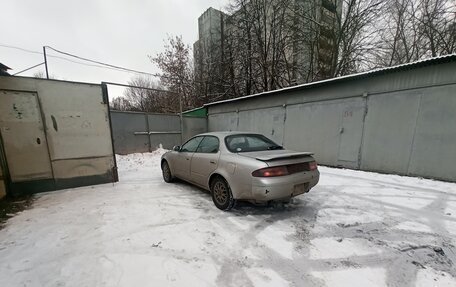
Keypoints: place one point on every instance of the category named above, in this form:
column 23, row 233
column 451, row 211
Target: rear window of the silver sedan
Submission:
column 249, row 142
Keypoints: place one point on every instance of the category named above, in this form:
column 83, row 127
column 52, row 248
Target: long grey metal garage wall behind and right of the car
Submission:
column 395, row 122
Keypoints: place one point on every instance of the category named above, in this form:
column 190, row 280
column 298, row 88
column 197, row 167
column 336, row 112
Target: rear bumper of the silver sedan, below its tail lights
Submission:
column 283, row 187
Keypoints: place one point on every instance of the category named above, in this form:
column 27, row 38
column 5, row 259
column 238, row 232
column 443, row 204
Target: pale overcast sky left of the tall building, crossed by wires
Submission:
column 119, row 32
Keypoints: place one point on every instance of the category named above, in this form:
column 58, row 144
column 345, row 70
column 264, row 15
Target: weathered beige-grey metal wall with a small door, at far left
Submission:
column 55, row 134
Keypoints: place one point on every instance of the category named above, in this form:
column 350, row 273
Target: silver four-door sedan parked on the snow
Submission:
column 241, row 166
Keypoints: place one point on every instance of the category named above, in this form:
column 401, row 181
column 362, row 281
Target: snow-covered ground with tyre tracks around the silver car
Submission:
column 353, row 229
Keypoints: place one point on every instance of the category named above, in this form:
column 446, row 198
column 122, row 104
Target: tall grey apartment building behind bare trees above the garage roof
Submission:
column 263, row 48
